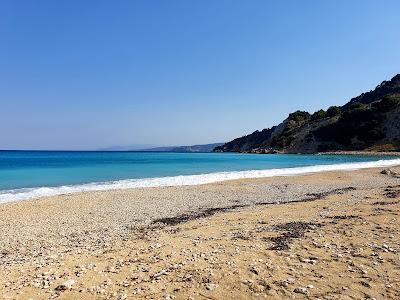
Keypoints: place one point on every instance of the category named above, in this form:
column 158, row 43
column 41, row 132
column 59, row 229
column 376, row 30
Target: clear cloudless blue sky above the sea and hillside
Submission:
column 91, row 74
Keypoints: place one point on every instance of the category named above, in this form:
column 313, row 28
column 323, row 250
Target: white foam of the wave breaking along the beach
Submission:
column 30, row 193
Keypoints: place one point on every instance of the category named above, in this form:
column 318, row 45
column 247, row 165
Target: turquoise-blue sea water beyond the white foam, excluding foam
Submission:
column 29, row 169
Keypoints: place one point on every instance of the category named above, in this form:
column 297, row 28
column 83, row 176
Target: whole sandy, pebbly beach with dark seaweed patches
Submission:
column 332, row 235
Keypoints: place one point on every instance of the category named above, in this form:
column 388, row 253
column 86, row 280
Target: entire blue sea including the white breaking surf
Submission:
column 33, row 174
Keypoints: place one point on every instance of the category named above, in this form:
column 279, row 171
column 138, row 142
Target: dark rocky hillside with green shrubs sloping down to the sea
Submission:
column 369, row 122
